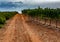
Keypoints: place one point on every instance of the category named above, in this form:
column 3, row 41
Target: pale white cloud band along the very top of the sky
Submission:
column 32, row 2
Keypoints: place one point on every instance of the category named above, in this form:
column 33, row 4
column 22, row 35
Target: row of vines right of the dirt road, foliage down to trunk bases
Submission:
column 46, row 15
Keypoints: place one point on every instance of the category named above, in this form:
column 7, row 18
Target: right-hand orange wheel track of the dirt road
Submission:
column 33, row 36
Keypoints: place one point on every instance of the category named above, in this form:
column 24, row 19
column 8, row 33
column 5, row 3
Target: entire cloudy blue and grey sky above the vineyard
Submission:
column 17, row 5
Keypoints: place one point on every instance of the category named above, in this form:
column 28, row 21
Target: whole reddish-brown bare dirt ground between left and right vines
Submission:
column 20, row 30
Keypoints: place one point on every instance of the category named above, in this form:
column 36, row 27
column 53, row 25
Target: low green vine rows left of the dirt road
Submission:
column 5, row 16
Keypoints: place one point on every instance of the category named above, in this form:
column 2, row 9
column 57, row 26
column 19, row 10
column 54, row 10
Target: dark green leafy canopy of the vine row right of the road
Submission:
column 43, row 13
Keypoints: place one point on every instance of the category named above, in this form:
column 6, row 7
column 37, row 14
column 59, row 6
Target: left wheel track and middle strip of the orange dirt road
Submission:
column 15, row 31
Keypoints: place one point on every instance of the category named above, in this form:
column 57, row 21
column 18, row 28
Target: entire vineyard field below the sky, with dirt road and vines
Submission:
column 33, row 25
